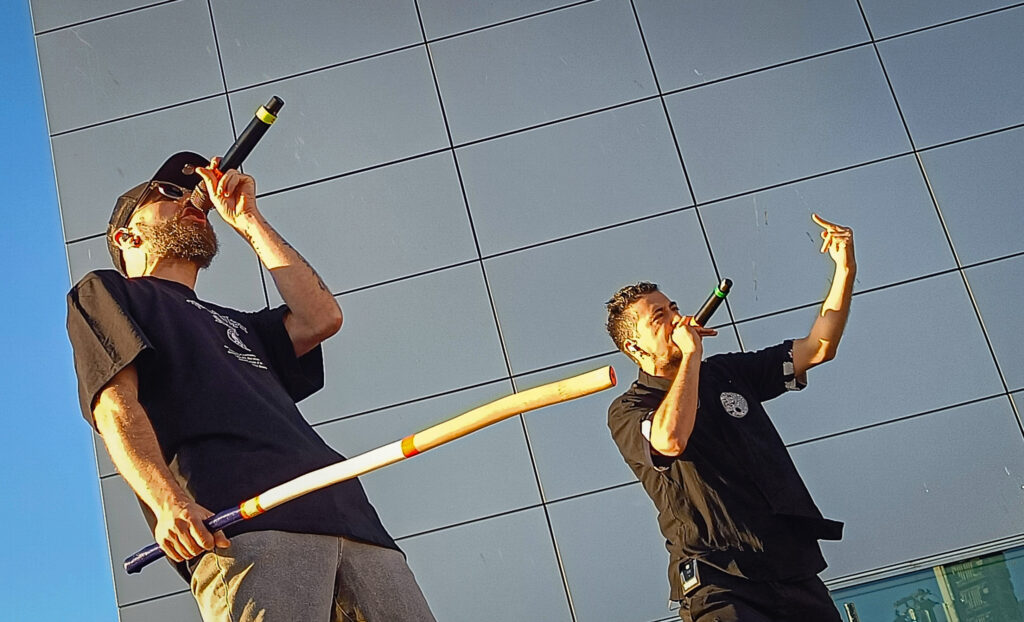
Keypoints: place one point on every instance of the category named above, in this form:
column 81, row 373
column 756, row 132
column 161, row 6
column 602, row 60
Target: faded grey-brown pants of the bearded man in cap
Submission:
column 273, row 576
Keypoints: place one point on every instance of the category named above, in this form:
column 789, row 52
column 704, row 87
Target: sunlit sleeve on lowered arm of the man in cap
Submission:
column 104, row 337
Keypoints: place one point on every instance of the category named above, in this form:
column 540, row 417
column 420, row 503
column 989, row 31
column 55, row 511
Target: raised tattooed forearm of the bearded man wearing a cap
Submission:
column 315, row 313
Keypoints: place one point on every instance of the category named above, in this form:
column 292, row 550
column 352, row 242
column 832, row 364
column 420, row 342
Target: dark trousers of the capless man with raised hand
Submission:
column 723, row 598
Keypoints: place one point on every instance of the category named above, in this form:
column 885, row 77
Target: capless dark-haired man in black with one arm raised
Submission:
column 740, row 525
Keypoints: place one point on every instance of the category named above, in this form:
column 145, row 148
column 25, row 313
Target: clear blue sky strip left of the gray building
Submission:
column 54, row 557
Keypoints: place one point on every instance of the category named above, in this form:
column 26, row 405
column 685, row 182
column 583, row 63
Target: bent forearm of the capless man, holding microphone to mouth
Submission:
column 673, row 422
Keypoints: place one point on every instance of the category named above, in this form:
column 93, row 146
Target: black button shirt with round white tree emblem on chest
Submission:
column 734, row 499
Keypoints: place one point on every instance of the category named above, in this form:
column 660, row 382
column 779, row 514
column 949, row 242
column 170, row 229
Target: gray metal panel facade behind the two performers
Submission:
column 475, row 180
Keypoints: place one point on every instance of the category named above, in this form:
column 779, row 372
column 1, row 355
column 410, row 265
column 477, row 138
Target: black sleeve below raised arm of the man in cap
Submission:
column 302, row 377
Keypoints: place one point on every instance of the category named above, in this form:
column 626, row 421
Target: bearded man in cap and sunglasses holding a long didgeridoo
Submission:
column 196, row 405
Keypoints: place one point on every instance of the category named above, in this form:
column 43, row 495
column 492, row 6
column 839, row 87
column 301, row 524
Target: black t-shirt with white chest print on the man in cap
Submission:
column 220, row 388
